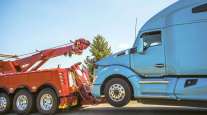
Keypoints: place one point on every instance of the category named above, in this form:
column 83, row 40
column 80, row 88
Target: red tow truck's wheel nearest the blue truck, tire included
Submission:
column 47, row 101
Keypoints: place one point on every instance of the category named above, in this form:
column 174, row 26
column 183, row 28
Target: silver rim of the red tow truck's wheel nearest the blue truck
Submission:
column 46, row 102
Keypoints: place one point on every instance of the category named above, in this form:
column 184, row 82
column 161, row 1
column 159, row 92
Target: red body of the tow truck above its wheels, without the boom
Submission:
column 36, row 80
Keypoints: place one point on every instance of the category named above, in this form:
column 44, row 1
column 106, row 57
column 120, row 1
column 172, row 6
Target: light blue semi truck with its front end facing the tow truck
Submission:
column 167, row 63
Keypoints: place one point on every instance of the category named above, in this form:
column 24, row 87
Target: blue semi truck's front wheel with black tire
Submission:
column 118, row 92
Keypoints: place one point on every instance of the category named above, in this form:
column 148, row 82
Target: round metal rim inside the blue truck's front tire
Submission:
column 117, row 92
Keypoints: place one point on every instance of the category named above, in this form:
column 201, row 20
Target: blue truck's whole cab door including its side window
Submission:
column 150, row 63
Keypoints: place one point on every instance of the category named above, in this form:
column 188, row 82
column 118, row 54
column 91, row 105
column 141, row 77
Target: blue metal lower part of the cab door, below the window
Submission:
column 144, row 64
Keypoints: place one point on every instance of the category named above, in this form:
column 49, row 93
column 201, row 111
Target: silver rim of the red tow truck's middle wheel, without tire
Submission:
column 22, row 102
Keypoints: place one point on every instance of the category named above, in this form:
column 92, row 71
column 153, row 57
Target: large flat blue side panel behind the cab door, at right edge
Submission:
column 185, row 46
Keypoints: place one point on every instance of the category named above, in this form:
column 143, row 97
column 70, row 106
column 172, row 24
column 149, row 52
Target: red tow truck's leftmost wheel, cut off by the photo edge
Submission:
column 5, row 103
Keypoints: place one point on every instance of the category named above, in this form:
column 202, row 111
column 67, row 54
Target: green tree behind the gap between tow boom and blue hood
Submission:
column 99, row 49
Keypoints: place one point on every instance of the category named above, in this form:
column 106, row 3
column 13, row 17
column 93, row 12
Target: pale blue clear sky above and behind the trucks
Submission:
column 29, row 25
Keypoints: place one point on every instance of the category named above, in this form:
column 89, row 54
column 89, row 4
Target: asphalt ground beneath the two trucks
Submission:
column 133, row 109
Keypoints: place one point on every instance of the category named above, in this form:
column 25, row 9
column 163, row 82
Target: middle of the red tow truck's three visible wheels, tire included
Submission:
column 23, row 102
